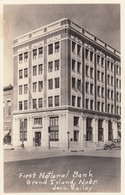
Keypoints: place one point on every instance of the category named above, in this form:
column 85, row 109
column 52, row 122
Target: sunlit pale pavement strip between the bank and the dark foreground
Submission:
column 19, row 154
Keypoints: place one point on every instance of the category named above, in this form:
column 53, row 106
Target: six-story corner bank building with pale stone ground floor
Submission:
column 67, row 88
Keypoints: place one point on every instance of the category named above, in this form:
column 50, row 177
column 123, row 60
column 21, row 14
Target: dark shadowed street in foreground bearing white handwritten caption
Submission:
column 68, row 173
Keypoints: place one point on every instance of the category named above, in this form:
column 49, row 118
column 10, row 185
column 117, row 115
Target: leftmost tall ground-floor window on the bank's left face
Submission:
column 23, row 130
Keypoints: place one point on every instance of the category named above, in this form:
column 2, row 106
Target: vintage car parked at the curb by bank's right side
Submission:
column 115, row 143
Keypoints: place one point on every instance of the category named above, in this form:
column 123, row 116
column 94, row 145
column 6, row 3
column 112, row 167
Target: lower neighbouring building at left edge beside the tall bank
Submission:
column 7, row 113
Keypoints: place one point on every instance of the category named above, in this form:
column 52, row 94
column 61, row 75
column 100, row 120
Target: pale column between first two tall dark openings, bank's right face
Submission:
column 95, row 130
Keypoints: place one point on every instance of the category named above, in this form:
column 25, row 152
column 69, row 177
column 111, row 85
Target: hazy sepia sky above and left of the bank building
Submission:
column 101, row 20
